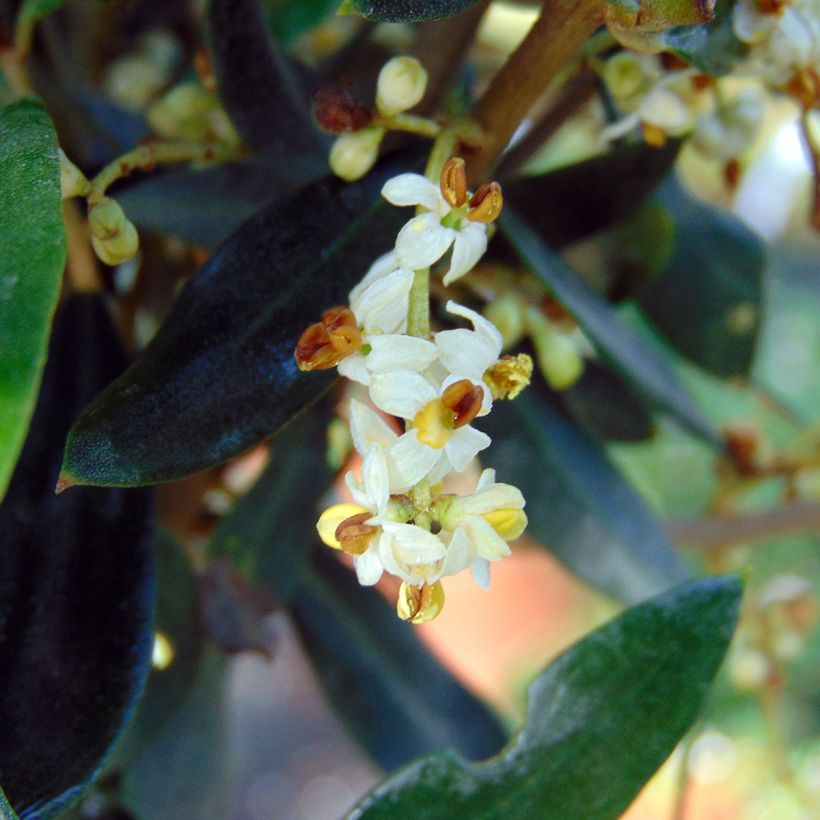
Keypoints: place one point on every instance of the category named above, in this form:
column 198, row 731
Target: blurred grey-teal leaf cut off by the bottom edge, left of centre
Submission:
column 182, row 771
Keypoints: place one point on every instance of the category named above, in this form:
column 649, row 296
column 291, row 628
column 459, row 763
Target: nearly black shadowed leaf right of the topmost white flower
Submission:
column 573, row 202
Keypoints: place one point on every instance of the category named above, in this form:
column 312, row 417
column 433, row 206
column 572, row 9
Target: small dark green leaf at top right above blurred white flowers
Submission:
column 712, row 47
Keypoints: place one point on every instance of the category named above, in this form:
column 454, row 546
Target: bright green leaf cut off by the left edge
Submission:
column 32, row 256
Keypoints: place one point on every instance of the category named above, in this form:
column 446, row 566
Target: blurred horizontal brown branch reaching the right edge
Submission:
column 716, row 531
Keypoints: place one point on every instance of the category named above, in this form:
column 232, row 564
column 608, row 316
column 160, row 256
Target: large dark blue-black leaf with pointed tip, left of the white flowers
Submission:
column 220, row 374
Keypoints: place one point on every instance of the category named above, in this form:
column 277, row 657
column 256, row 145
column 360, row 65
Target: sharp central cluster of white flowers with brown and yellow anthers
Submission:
column 400, row 521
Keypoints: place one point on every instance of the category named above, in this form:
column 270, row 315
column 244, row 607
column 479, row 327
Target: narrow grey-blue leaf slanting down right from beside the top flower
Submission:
column 611, row 335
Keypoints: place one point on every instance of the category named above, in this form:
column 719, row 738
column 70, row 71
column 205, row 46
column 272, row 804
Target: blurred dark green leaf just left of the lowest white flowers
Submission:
column 272, row 529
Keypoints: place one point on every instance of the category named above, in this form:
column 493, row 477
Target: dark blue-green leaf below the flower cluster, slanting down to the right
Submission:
column 396, row 699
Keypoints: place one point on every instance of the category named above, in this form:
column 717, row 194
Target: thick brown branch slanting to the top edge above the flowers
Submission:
column 556, row 36
